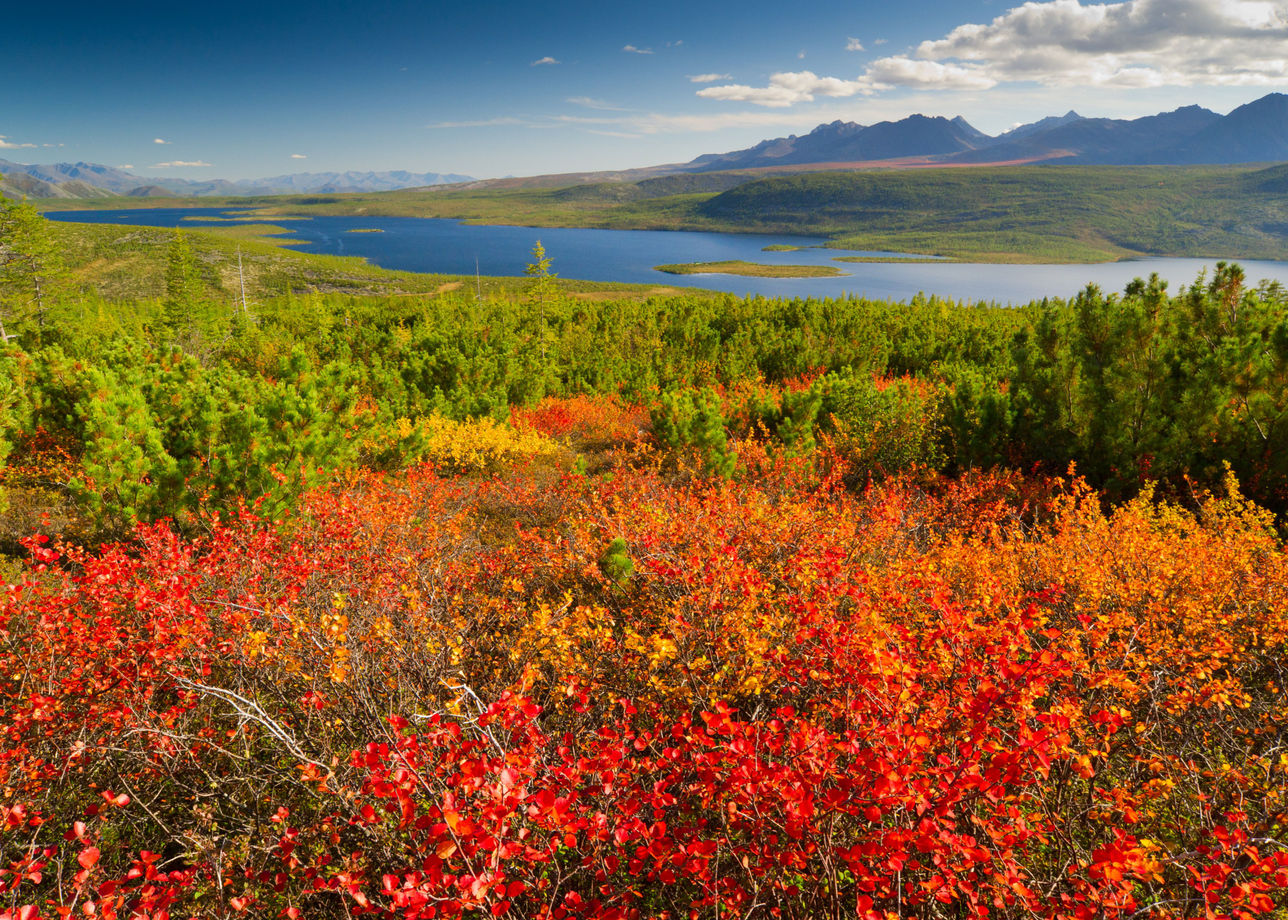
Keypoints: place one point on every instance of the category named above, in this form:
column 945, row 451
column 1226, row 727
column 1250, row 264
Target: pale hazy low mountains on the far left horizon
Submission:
column 93, row 181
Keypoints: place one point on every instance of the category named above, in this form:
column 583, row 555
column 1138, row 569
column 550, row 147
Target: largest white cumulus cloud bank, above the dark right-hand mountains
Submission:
column 1070, row 43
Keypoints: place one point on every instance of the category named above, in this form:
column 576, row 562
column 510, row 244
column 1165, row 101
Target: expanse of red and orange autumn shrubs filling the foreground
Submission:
column 638, row 696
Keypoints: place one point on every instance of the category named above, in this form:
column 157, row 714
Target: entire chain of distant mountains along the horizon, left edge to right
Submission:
column 1256, row 132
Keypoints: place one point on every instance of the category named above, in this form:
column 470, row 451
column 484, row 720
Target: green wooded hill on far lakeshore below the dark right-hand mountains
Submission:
column 1067, row 213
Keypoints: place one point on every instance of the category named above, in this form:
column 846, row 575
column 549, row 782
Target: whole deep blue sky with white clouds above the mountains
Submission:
column 240, row 91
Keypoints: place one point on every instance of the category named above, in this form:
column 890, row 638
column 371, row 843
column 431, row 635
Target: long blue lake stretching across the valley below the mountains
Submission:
column 453, row 248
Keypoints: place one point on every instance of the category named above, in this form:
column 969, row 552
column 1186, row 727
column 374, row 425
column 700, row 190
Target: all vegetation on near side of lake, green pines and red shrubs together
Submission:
column 417, row 602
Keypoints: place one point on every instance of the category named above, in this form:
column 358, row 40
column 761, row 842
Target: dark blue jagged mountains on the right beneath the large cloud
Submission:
column 1253, row 133
